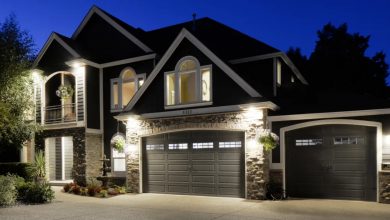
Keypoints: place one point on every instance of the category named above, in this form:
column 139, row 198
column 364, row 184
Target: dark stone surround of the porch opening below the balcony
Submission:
column 78, row 134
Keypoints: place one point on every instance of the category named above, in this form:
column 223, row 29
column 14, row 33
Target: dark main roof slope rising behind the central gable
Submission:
column 227, row 43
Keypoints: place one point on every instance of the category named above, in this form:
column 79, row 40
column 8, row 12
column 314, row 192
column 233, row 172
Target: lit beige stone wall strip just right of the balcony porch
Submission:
column 93, row 155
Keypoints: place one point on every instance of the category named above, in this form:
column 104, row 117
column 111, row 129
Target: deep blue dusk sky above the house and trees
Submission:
column 281, row 24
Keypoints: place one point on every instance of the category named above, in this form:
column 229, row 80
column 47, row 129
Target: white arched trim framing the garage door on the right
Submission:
column 379, row 140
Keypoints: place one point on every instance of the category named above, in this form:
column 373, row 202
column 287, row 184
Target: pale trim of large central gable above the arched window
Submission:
column 186, row 34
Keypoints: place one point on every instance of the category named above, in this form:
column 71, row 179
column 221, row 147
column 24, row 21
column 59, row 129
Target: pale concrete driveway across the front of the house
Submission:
column 170, row 207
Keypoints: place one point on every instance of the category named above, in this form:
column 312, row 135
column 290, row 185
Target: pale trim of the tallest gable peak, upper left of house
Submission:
column 119, row 25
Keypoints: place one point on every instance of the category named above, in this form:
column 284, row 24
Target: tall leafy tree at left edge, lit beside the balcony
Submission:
column 16, row 90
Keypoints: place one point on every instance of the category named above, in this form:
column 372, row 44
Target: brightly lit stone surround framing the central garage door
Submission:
column 256, row 163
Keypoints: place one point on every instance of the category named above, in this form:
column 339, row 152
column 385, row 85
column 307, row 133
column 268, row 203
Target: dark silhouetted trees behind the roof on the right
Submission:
column 339, row 61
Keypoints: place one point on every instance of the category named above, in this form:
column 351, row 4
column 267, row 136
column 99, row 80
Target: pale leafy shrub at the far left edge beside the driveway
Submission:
column 8, row 191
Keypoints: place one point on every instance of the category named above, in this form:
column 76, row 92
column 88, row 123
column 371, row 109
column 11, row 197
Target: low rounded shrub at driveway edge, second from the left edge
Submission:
column 38, row 193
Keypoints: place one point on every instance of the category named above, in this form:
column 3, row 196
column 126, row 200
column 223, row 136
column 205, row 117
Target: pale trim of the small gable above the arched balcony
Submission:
column 62, row 40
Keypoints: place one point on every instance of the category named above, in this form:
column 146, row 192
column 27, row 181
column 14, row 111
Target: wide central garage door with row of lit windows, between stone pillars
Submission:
column 194, row 162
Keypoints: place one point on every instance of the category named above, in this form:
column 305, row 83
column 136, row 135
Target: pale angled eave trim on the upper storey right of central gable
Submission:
column 282, row 55
